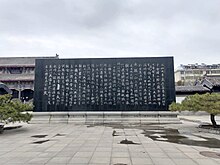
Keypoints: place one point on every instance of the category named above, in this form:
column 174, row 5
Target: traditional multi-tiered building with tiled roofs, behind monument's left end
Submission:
column 17, row 73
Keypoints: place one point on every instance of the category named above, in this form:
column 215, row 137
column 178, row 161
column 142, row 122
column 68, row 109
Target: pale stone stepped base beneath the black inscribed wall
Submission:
column 106, row 117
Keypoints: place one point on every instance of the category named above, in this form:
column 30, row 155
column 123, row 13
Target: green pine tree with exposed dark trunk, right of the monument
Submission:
column 205, row 102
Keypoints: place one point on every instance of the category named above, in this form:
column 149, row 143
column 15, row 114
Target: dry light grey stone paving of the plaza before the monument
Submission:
column 96, row 145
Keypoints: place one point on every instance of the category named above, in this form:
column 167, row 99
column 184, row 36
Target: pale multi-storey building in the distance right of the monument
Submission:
column 188, row 74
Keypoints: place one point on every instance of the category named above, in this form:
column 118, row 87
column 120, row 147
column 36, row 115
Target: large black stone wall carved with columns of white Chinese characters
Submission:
column 104, row 84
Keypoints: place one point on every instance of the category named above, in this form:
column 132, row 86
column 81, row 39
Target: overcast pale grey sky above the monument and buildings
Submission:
column 189, row 30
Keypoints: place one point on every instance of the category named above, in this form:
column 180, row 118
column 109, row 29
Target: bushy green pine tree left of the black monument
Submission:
column 14, row 110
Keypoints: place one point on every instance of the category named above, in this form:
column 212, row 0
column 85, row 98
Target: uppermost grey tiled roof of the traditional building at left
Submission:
column 20, row 61
